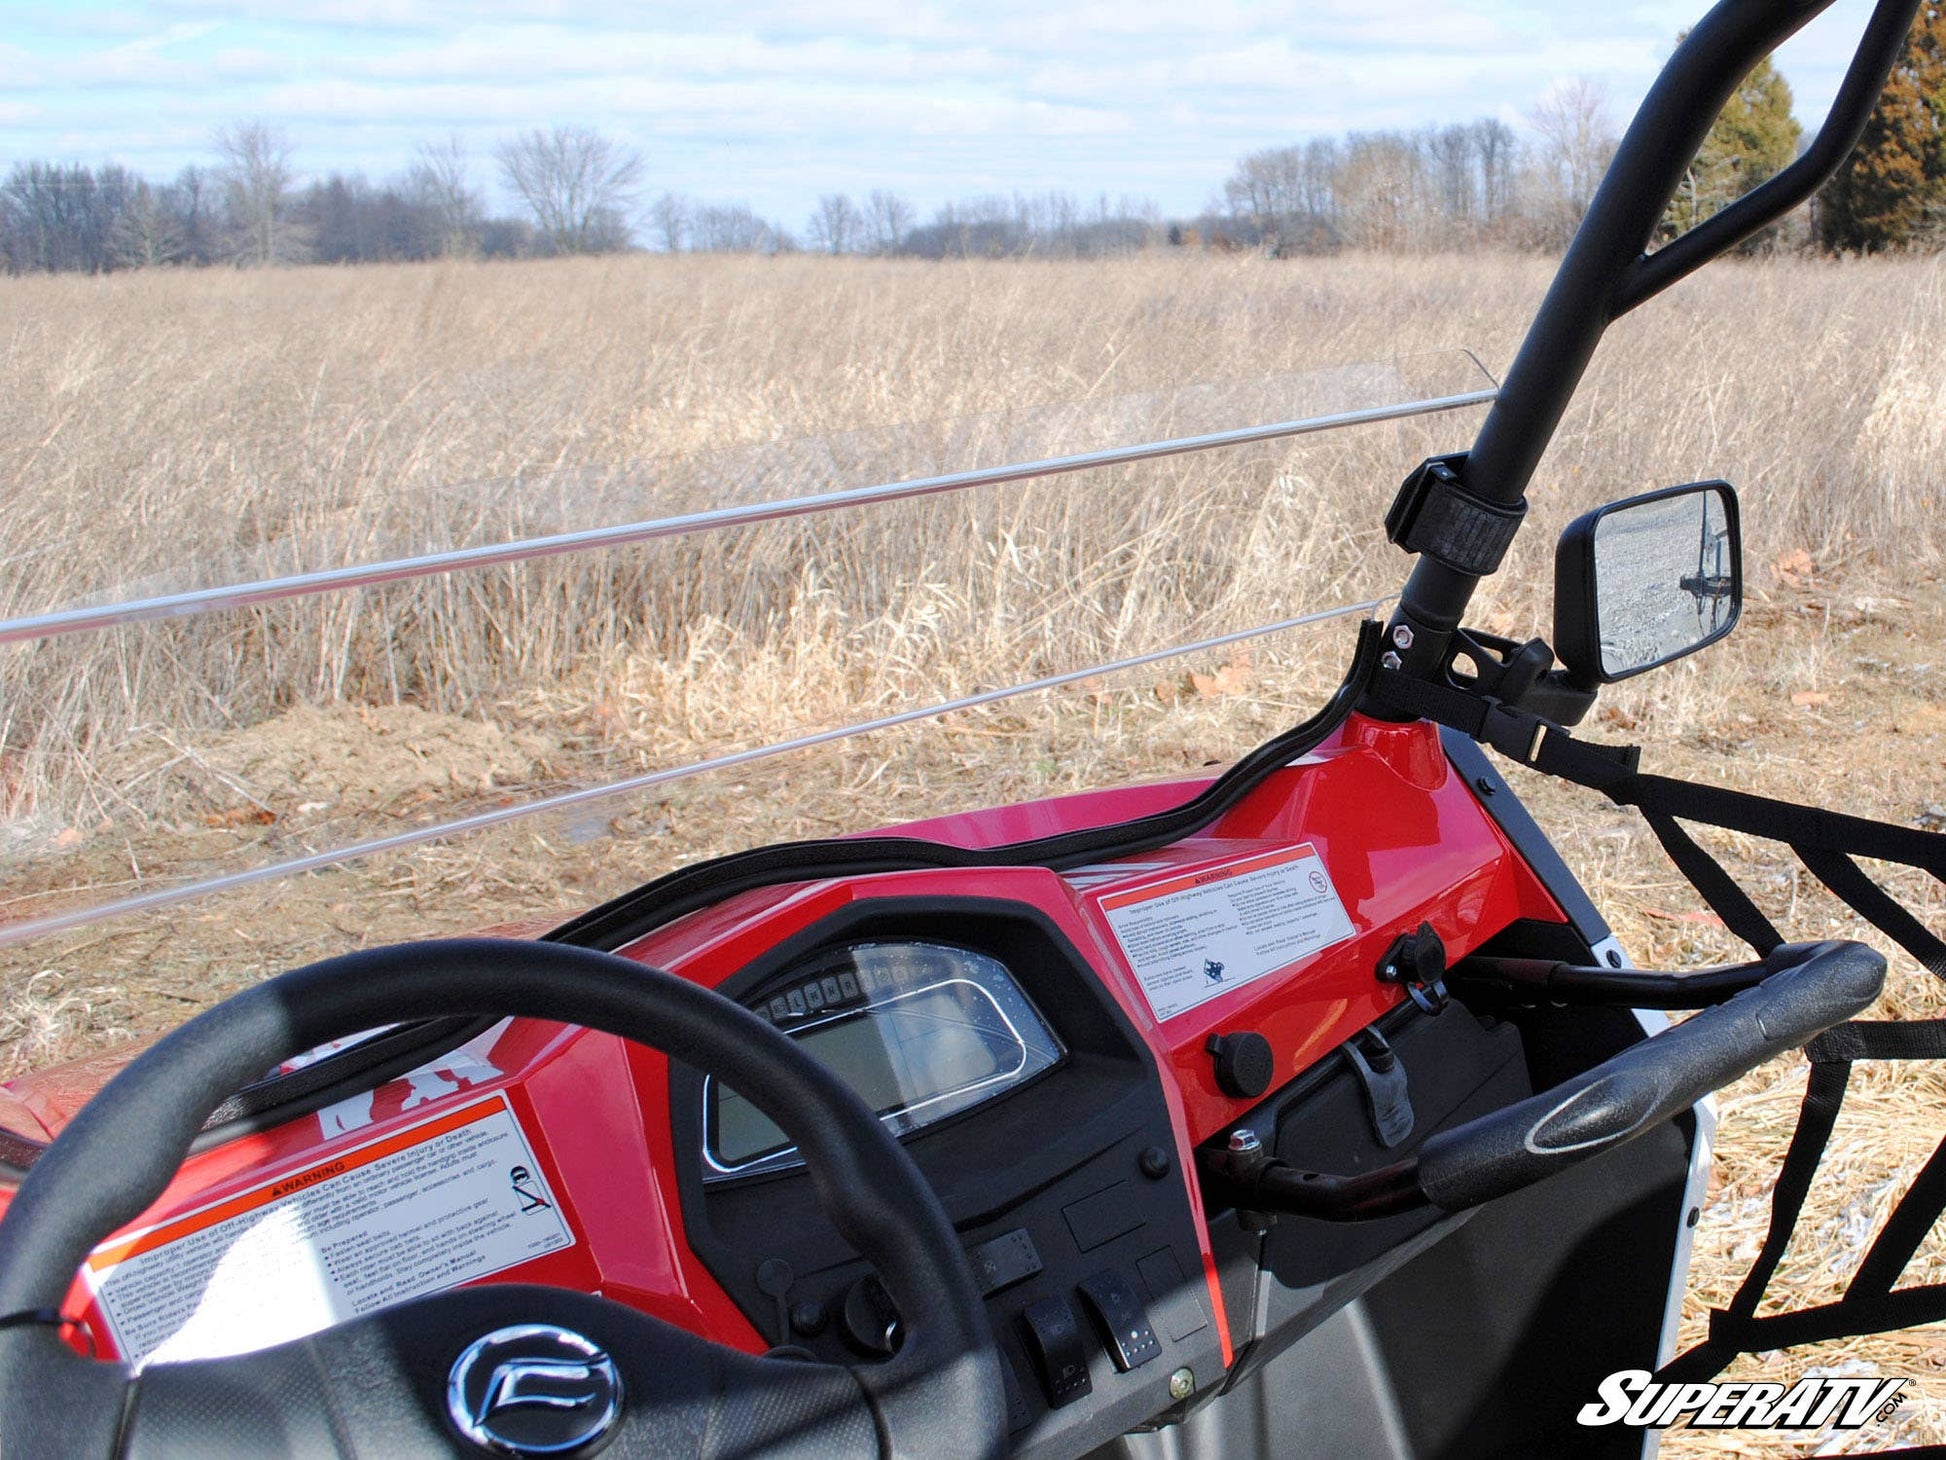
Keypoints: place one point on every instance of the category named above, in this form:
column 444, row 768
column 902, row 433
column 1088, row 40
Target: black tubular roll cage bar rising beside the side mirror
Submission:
column 1608, row 268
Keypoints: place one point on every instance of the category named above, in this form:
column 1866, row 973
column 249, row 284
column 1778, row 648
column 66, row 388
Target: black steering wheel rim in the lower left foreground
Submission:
column 939, row 1395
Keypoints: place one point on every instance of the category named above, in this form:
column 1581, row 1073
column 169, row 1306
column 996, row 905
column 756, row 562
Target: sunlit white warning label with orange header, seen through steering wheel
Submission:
column 410, row 1214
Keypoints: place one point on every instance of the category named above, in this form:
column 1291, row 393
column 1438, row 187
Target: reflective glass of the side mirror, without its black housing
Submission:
column 1667, row 579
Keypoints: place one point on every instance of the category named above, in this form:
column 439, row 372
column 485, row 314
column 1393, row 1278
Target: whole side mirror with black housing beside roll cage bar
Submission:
column 1647, row 581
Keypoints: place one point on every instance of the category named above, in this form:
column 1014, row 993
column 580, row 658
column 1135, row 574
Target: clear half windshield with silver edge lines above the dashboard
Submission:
column 201, row 791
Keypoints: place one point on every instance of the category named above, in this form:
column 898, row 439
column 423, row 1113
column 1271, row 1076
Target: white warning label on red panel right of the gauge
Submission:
column 1204, row 933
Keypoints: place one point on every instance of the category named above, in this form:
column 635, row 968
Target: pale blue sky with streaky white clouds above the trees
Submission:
column 774, row 102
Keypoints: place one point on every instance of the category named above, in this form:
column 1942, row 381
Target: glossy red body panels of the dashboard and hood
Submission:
column 1404, row 840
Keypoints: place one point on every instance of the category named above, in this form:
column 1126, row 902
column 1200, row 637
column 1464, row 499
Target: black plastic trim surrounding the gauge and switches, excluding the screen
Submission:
column 1060, row 1159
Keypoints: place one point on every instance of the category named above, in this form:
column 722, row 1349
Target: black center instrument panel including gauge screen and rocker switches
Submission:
column 984, row 1039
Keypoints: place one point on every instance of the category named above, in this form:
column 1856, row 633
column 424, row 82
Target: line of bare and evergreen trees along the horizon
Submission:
column 581, row 192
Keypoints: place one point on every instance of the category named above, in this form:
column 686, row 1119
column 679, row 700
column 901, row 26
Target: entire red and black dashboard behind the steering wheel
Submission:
column 1028, row 1039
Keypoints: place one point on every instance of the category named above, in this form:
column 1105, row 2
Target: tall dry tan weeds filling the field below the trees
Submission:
column 164, row 431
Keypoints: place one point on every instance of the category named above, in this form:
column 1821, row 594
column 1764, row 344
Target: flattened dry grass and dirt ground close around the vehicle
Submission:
column 1832, row 694
